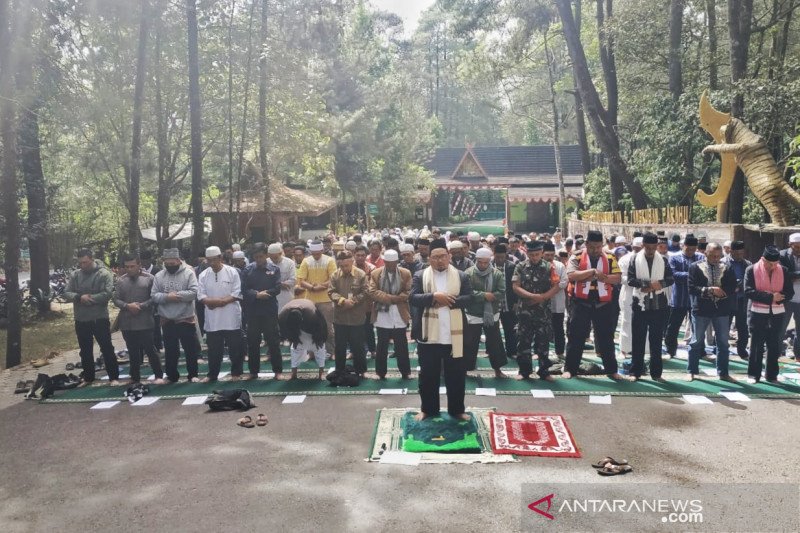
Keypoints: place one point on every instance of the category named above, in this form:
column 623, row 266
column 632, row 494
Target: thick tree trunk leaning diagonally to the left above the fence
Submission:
column 606, row 135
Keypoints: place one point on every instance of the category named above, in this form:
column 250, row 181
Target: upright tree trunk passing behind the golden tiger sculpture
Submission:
column 740, row 14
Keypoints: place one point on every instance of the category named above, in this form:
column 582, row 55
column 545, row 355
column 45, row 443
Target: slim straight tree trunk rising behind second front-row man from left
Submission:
column 136, row 137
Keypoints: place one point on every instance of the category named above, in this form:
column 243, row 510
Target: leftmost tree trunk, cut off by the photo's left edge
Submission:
column 8, row 186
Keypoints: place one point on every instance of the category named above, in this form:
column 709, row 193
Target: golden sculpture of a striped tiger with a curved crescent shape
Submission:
column 738, row 146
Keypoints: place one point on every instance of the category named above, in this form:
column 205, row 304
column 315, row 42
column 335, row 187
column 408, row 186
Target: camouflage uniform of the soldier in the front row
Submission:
column 535, row 326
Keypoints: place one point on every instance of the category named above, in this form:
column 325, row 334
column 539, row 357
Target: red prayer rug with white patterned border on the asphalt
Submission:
column 532, row 434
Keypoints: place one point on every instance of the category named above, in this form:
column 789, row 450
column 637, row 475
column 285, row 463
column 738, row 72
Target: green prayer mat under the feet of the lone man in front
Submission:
column 440, row 434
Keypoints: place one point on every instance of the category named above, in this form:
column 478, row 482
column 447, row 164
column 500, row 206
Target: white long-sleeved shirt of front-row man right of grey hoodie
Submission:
column 226, row 282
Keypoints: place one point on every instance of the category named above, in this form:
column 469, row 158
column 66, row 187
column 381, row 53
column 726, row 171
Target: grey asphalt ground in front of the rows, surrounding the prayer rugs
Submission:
column 171, row 468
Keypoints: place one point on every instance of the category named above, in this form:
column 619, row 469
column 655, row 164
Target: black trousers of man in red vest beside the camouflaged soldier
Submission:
column 581, row 320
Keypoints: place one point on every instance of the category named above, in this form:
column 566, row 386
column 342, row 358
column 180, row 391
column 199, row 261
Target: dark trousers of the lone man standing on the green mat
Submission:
column 432, row 357
